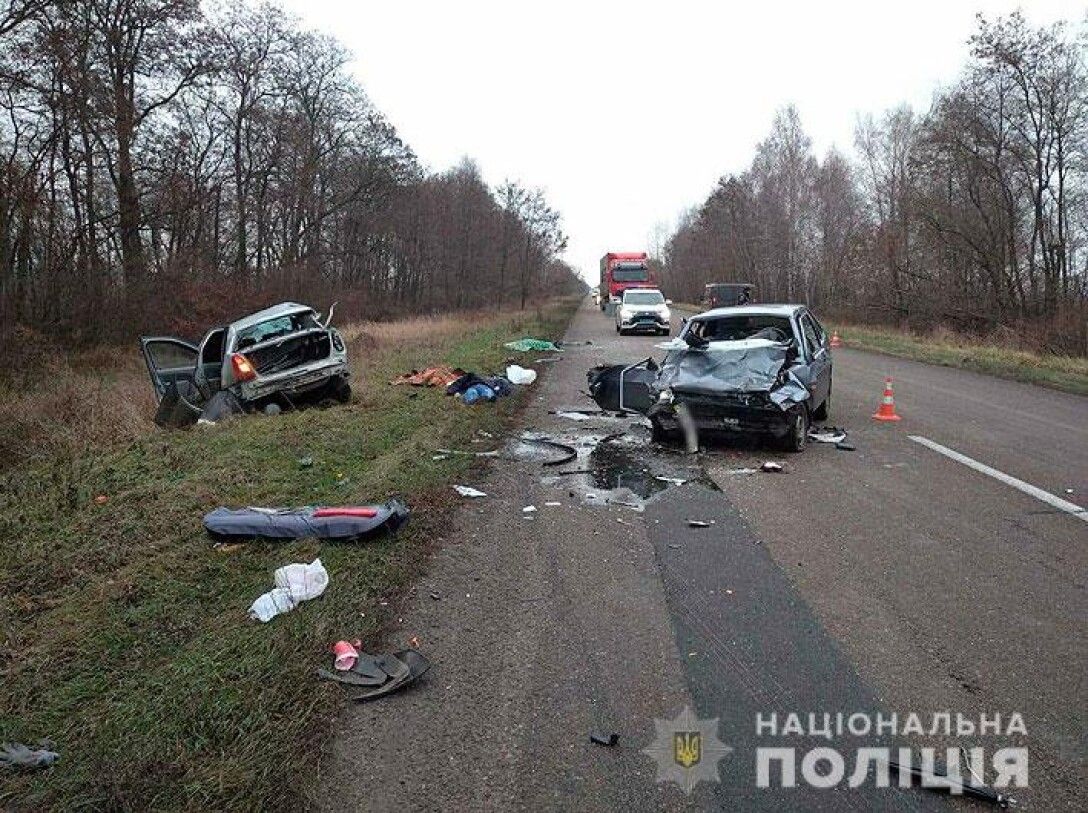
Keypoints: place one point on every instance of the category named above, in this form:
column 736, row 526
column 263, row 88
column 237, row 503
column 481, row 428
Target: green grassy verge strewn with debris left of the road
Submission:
column 126, row 633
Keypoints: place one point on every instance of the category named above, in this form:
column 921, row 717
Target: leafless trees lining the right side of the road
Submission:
column 972, row 216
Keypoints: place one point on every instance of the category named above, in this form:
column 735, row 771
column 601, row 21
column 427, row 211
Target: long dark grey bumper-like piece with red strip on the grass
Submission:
column 344, row 524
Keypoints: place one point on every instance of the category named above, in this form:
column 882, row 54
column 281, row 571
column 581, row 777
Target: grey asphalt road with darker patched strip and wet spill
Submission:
column 892, row 578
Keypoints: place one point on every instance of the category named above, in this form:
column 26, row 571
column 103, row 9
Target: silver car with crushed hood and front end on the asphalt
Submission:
column 756, row 369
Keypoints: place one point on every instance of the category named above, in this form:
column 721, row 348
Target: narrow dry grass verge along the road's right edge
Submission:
column 1067, row 374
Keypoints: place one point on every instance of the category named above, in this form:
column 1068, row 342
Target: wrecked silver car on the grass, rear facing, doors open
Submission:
column 273, row 360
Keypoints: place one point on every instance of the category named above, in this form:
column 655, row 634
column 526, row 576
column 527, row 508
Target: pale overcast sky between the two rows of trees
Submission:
column 628, row 113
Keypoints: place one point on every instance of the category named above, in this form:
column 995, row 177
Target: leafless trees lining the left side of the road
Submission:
column 165, row 164
